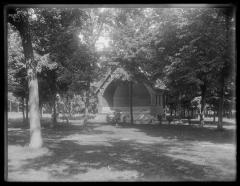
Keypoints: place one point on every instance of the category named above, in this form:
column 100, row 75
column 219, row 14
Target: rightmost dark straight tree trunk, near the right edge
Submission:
column 220, row 108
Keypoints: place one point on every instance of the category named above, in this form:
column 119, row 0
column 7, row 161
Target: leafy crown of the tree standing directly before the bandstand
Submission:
column 143, row 40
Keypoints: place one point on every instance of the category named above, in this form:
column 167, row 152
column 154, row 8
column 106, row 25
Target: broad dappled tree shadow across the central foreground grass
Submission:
column 71, row 160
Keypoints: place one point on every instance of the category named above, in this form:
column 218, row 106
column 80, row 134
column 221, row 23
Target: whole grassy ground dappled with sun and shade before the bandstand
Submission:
column 104, row 152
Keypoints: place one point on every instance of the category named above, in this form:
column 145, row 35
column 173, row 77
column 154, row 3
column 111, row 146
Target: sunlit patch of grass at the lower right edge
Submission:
column 204, row 153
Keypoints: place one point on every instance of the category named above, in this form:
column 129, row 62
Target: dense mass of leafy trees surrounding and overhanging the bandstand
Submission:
column 190, row 49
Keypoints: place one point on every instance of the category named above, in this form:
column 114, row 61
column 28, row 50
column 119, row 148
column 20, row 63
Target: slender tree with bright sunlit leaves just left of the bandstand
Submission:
column 95, row 24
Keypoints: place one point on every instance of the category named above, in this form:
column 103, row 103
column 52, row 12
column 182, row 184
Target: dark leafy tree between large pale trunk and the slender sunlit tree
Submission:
column 56, row 36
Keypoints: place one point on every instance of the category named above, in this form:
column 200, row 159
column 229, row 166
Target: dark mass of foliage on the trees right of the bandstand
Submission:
column 202, row 57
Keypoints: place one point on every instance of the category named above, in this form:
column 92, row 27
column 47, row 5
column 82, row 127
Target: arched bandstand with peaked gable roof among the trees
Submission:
column 113, row 95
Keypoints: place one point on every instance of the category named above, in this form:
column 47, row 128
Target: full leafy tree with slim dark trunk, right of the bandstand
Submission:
column 202, row 53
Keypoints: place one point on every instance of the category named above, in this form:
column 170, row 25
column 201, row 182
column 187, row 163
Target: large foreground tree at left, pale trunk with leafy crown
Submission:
column 31, row 22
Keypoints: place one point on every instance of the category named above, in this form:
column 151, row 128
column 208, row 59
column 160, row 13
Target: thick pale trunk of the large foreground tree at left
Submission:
column 22, row 25
